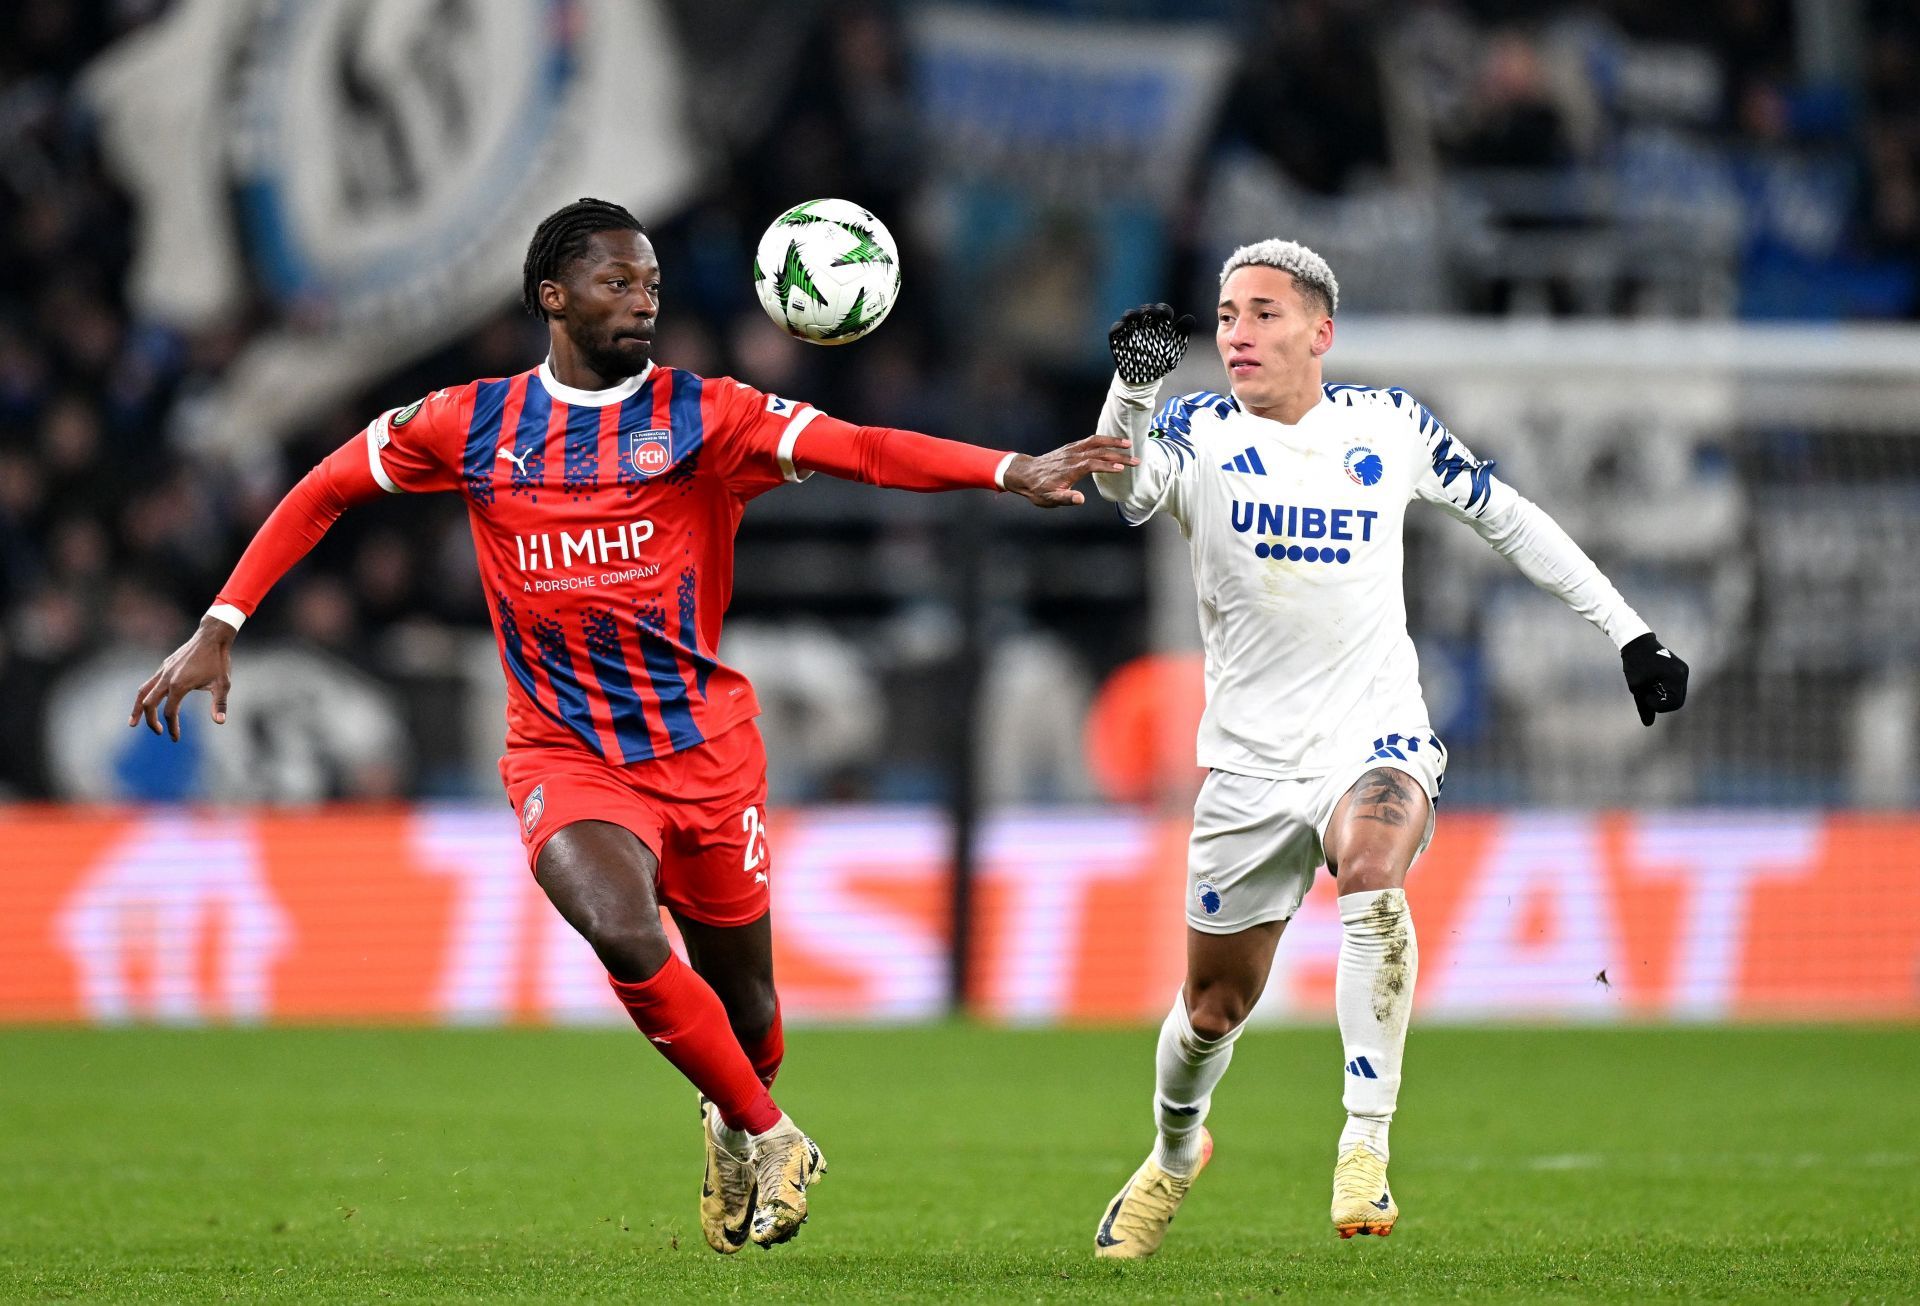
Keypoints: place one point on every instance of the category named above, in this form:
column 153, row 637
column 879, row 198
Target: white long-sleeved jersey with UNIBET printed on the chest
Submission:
column 1297, row 552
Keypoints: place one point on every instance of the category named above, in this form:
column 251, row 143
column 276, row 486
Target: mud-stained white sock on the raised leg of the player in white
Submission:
column 1374, row 1000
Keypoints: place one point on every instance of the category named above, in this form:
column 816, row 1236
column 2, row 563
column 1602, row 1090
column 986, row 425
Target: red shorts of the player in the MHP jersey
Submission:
column 702, row 813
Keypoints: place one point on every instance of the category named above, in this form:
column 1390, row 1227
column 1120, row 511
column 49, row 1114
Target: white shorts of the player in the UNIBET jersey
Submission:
column 1259, row 842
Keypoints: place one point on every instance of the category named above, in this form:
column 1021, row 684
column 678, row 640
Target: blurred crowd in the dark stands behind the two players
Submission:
column 1472, row 157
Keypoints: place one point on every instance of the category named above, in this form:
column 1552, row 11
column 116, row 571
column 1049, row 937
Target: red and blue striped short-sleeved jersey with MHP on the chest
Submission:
column 604, row 523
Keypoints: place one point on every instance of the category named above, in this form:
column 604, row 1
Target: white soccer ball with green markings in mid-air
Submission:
column 827, row 272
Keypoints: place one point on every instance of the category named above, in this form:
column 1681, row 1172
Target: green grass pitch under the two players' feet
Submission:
column 967, row 1165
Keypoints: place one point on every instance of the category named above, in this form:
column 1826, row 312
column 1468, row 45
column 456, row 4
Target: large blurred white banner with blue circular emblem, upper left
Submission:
column 368, row 176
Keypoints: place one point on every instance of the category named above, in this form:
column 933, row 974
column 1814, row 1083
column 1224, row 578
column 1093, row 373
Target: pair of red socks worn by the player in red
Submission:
column 688, row 1025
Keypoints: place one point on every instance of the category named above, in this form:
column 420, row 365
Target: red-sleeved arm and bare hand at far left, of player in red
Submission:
column 343, row 479
